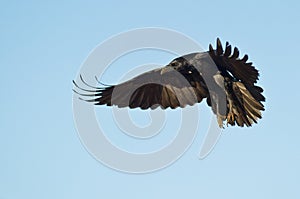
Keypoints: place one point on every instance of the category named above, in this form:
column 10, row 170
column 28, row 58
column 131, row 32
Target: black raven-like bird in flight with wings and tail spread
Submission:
column 226, row 81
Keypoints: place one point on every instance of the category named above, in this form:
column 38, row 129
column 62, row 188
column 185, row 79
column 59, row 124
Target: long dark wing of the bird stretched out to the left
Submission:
column 149, row 90
